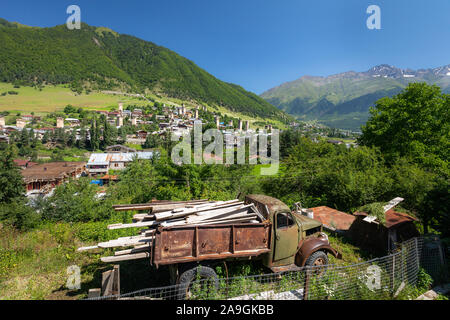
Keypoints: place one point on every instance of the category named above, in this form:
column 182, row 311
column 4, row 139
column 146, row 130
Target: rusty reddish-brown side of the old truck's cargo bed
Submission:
column 210, row 242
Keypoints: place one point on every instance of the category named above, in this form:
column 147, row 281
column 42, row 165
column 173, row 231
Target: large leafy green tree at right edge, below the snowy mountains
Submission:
column 415, row 123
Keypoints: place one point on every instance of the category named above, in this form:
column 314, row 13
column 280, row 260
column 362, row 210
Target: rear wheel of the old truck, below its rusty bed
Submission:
column 201, row 279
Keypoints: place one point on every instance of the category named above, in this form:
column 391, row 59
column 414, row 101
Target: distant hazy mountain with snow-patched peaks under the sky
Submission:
column 343, row 100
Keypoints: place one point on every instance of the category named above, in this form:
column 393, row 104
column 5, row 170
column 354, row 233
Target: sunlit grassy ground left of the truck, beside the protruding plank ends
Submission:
column 33, row 264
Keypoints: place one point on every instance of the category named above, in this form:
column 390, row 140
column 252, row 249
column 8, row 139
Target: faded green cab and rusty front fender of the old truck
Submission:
column 296, row 240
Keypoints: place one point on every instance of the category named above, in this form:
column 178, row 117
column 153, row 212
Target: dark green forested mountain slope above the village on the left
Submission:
column 100, row 59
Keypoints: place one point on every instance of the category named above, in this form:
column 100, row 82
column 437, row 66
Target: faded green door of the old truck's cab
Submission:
column 286, row 236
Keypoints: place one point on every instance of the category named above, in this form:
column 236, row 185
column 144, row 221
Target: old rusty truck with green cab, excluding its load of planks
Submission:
column 285, row 240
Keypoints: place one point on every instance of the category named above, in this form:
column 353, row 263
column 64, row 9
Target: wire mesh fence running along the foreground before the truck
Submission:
column 380, row 278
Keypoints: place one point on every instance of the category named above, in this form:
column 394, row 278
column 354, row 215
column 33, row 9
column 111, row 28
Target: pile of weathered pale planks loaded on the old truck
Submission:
column 164, row 213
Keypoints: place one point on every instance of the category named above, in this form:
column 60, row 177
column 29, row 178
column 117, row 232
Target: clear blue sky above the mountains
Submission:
column 260, row 44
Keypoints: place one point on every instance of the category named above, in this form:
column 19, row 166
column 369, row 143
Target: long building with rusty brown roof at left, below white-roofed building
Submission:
column 42, row 178
